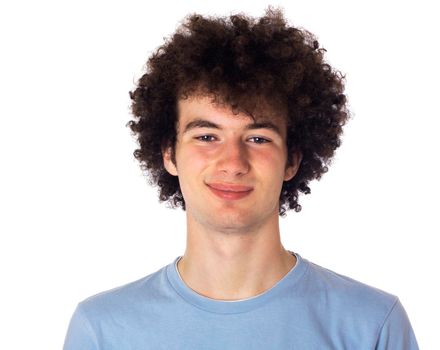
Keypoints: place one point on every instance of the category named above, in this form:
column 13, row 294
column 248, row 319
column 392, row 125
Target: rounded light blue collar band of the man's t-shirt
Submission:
column 234, row 306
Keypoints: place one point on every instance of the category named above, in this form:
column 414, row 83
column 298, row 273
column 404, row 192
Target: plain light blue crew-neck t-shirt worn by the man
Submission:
column 309, row 308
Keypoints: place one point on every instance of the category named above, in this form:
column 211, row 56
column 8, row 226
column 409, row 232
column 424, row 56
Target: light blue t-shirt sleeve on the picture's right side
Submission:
column 396, row 332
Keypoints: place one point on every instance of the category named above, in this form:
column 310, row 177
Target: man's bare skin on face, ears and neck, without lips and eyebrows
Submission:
column 233, row 248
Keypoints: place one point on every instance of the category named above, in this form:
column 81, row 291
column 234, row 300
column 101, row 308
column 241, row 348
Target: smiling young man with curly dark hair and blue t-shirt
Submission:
column 234, row 117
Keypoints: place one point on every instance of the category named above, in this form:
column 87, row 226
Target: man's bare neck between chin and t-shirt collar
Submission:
column 233, row 266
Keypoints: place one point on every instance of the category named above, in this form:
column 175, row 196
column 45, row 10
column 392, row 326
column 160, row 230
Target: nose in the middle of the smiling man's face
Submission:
column 233, row 158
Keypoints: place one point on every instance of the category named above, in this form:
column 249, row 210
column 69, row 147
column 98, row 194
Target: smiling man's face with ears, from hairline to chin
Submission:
column 230, row 168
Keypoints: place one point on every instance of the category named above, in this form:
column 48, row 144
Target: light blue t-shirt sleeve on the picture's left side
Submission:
column 80, row 334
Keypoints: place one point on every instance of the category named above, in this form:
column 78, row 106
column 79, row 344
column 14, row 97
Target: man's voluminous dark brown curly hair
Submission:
column 239, row 60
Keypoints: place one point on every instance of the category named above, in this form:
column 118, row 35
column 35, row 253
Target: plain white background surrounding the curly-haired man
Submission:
column 78, row 217
